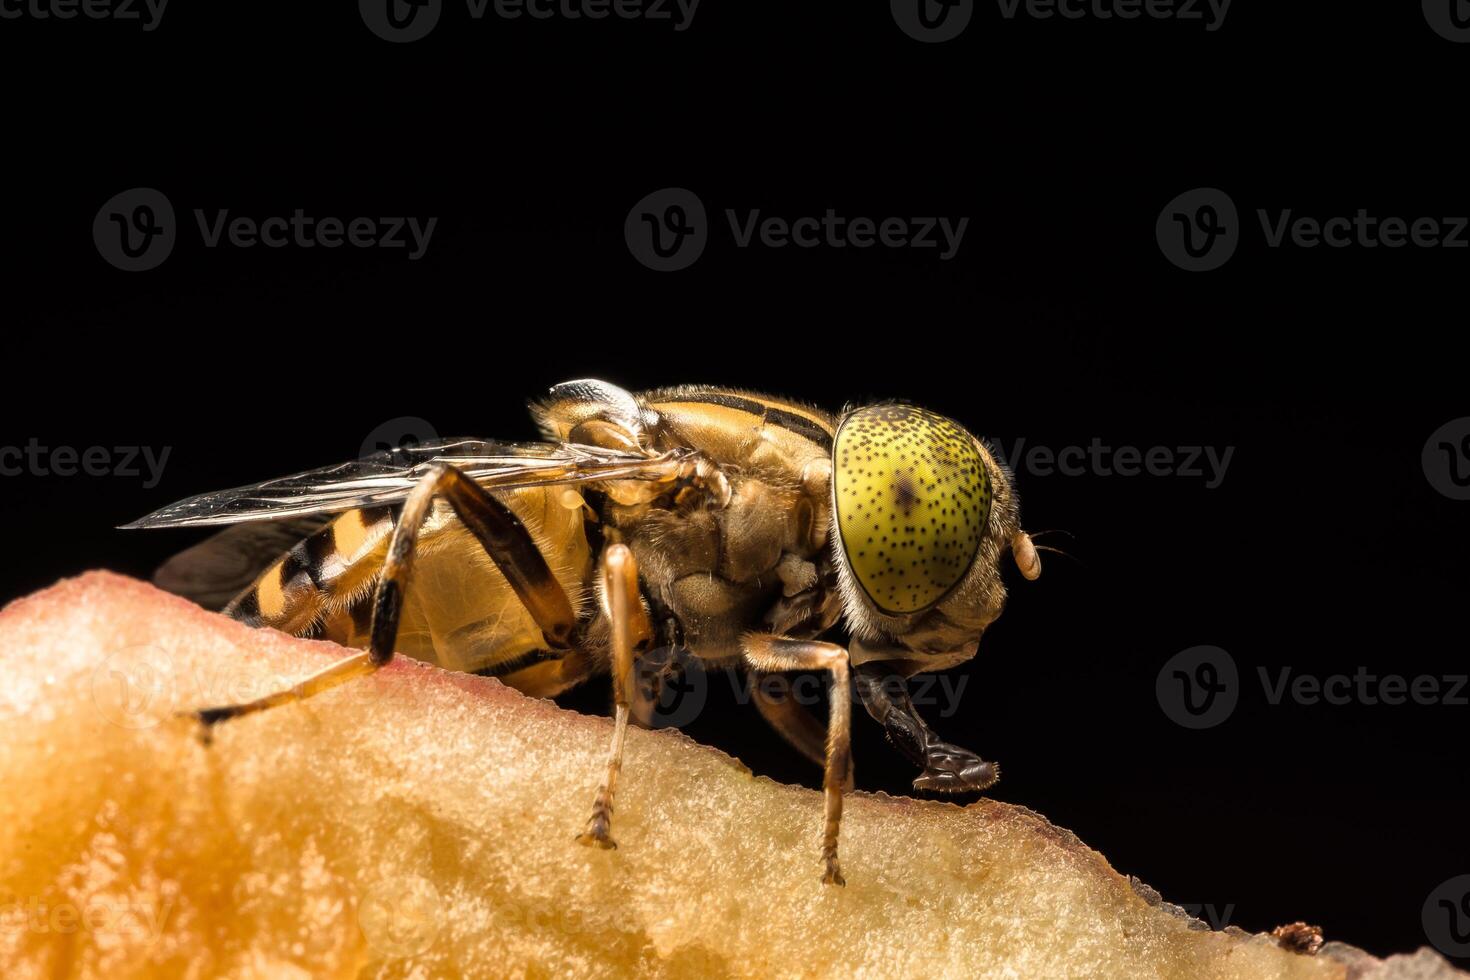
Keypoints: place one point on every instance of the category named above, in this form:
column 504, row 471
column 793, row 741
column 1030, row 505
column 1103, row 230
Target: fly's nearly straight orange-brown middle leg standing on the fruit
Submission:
column 630, row 633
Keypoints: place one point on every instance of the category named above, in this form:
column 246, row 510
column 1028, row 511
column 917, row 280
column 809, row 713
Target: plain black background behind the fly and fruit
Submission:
column 1325, row 549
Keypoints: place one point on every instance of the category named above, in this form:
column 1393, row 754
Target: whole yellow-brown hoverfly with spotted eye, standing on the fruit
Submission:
column 742, row 527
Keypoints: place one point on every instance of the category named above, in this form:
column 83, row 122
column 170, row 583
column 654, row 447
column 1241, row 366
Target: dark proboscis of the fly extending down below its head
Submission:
column 947, row 769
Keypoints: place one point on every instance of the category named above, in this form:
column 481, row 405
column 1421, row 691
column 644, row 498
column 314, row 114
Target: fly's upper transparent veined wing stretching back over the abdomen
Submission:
column 386, row 478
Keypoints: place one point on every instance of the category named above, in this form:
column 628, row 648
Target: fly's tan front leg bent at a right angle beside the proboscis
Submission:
column 771, row 653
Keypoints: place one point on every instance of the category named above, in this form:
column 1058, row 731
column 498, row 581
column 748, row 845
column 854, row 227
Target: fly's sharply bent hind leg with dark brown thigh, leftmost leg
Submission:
column 499, row 531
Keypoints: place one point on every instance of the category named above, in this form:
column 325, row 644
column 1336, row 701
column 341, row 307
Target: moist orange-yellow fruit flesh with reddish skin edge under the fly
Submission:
column 421, row 824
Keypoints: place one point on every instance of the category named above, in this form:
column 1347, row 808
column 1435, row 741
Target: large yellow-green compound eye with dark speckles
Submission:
column 912, row 500
